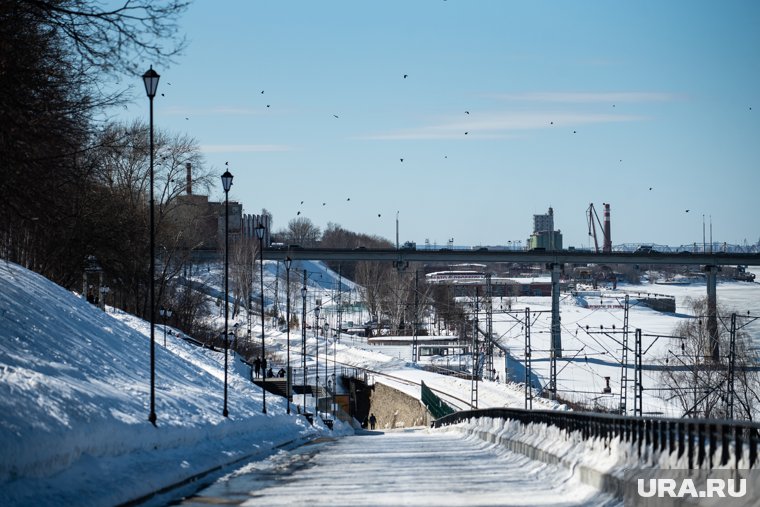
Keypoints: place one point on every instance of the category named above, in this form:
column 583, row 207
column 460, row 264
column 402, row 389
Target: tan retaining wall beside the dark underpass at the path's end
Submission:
column 394, row 409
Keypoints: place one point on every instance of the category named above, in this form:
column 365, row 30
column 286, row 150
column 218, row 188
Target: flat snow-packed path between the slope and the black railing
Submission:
column 412, row 467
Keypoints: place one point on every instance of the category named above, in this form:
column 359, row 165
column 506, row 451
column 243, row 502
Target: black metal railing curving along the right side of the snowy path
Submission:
column 698, row 439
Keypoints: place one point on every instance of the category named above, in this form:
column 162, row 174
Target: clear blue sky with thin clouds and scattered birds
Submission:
column 569, row 103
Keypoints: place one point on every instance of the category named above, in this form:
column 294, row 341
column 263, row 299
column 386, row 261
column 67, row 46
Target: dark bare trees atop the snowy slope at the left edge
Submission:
column 73, row 185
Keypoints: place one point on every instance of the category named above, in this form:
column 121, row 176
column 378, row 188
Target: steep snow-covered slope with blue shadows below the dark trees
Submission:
column 74, row 403
